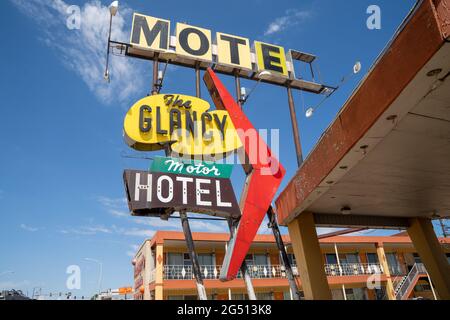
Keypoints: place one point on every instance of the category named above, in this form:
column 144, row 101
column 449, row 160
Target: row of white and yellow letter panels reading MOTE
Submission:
column 197, row 44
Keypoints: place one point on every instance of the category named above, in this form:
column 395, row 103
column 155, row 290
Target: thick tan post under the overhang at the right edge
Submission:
column 430, row 251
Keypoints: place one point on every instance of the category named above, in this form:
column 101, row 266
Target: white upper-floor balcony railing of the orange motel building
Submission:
column 180, row 272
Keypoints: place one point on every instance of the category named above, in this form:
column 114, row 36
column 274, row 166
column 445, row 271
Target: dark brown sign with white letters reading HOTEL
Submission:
column 153, row 193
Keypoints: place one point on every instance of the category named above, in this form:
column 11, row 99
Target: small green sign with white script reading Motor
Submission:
column 191, row 167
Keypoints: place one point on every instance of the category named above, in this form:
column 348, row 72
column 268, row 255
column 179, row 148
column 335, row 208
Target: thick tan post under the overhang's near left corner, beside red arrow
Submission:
column 309, row 257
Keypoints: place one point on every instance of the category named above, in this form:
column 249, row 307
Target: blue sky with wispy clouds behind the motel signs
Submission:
column 61, row 190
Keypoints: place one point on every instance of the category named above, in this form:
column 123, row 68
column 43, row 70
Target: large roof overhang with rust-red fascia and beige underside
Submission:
column 387, row 152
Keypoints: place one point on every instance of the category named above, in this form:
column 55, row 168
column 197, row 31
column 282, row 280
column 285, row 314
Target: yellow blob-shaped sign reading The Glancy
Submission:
column 183, row 122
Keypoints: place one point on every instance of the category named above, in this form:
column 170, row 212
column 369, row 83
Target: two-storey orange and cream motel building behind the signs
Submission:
column 353, row 265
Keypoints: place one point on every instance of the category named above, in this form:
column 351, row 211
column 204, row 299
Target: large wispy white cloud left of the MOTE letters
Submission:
column 84, row 51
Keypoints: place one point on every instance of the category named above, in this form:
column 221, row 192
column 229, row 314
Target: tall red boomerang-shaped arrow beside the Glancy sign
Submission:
column 262, row 183
